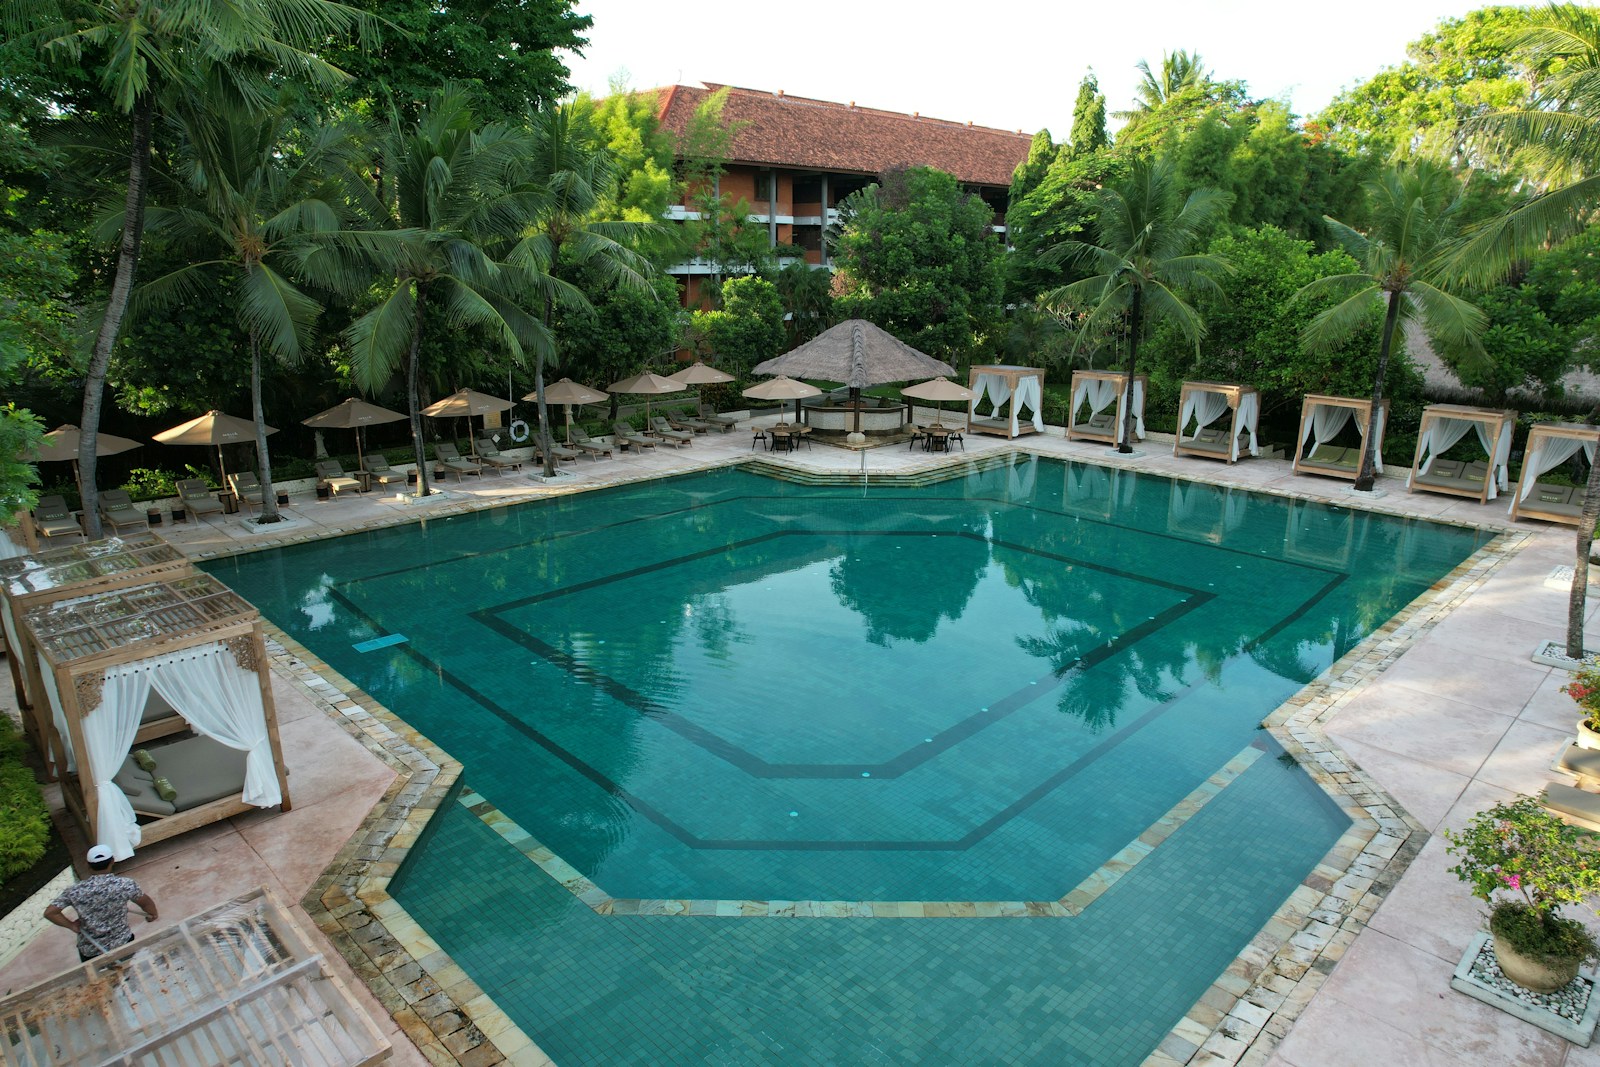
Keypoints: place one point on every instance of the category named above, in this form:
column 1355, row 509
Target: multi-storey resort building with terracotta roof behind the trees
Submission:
column 794, row 159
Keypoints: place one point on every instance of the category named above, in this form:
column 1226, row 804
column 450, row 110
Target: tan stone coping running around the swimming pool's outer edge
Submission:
column 1239, row 1020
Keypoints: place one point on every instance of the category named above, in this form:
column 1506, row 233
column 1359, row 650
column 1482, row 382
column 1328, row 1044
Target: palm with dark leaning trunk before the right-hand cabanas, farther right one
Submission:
column 1414, row 210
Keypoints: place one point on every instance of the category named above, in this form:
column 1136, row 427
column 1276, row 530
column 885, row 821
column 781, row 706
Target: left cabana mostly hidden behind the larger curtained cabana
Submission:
column 76, row 570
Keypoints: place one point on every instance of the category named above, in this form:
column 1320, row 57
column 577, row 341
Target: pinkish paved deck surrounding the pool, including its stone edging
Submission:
column 1434, row 719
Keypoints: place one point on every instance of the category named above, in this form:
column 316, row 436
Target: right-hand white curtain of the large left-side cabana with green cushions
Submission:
column 222, row 701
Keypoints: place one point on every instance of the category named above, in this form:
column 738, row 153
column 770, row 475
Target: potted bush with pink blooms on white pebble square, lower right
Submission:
column 1522, row 850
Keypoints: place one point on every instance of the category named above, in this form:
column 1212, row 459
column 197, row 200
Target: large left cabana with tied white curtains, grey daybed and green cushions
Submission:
column 199, row 645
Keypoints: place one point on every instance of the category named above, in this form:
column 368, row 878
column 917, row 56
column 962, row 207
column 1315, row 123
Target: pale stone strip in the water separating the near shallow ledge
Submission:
column 1074, row 903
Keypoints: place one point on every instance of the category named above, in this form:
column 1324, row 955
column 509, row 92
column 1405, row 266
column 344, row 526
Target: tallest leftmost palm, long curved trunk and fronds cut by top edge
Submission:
column 150, row 54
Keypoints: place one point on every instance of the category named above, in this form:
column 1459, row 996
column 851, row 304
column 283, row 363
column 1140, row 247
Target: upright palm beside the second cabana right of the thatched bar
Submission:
column 1143, row 258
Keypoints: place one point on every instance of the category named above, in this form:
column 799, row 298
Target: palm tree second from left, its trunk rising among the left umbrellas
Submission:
column 258, row 207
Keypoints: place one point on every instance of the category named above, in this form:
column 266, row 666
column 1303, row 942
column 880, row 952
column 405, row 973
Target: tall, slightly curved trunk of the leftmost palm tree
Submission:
column 116, row 308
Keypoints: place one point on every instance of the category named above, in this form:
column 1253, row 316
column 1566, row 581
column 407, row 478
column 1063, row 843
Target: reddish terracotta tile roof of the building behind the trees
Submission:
column 804, row 134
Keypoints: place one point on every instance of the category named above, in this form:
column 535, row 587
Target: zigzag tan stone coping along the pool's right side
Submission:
column 1252, row 1007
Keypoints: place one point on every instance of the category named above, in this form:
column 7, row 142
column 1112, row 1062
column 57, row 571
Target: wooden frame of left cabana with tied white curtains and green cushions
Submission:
column 81, row 639
